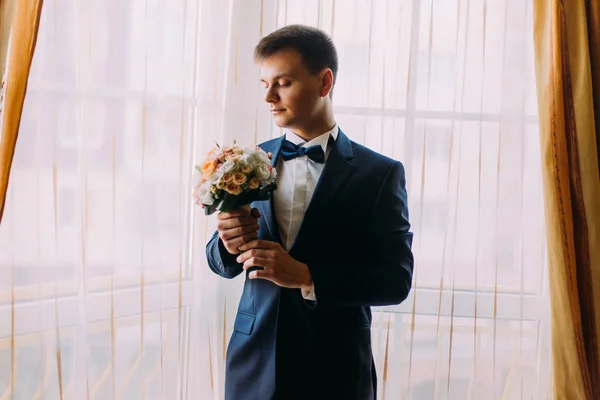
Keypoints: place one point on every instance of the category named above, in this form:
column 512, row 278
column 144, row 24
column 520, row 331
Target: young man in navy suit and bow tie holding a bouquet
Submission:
column 333, row 241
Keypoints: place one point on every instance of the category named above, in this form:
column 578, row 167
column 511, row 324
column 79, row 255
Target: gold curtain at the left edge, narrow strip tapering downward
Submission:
column 19, row 21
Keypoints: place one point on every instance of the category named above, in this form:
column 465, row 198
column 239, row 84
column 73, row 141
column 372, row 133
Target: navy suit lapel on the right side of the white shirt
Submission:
column 337, row 169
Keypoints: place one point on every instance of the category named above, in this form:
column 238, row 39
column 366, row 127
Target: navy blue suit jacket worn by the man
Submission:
column 356, row 242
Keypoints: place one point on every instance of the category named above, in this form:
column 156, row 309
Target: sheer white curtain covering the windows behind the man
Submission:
column 104, row 288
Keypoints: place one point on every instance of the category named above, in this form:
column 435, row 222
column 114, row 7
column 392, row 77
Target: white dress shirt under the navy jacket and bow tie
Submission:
column 296, row 182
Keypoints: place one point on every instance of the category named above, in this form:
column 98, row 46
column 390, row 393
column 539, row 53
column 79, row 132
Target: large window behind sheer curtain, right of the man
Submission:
column 448, row 88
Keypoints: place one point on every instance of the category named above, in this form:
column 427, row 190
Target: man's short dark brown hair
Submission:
column 315, row 47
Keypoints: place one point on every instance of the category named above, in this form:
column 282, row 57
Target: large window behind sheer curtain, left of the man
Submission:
column 99, row 195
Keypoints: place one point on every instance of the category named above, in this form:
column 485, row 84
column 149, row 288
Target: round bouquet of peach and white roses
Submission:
column 234, row 176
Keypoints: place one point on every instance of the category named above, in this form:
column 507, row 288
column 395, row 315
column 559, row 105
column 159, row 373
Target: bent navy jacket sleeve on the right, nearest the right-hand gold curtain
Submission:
column 386, row 277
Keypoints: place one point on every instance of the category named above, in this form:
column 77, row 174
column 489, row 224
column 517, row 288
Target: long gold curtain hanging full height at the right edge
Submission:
column 567, row 46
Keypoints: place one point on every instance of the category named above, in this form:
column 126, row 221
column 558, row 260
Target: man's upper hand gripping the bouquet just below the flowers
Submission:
column 237, row 227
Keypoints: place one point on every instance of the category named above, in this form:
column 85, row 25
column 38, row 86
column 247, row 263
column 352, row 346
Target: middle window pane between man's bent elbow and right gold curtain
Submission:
column 475, row 205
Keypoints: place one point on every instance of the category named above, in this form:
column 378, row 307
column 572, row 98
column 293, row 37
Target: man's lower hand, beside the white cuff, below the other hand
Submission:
column 279, row 267
